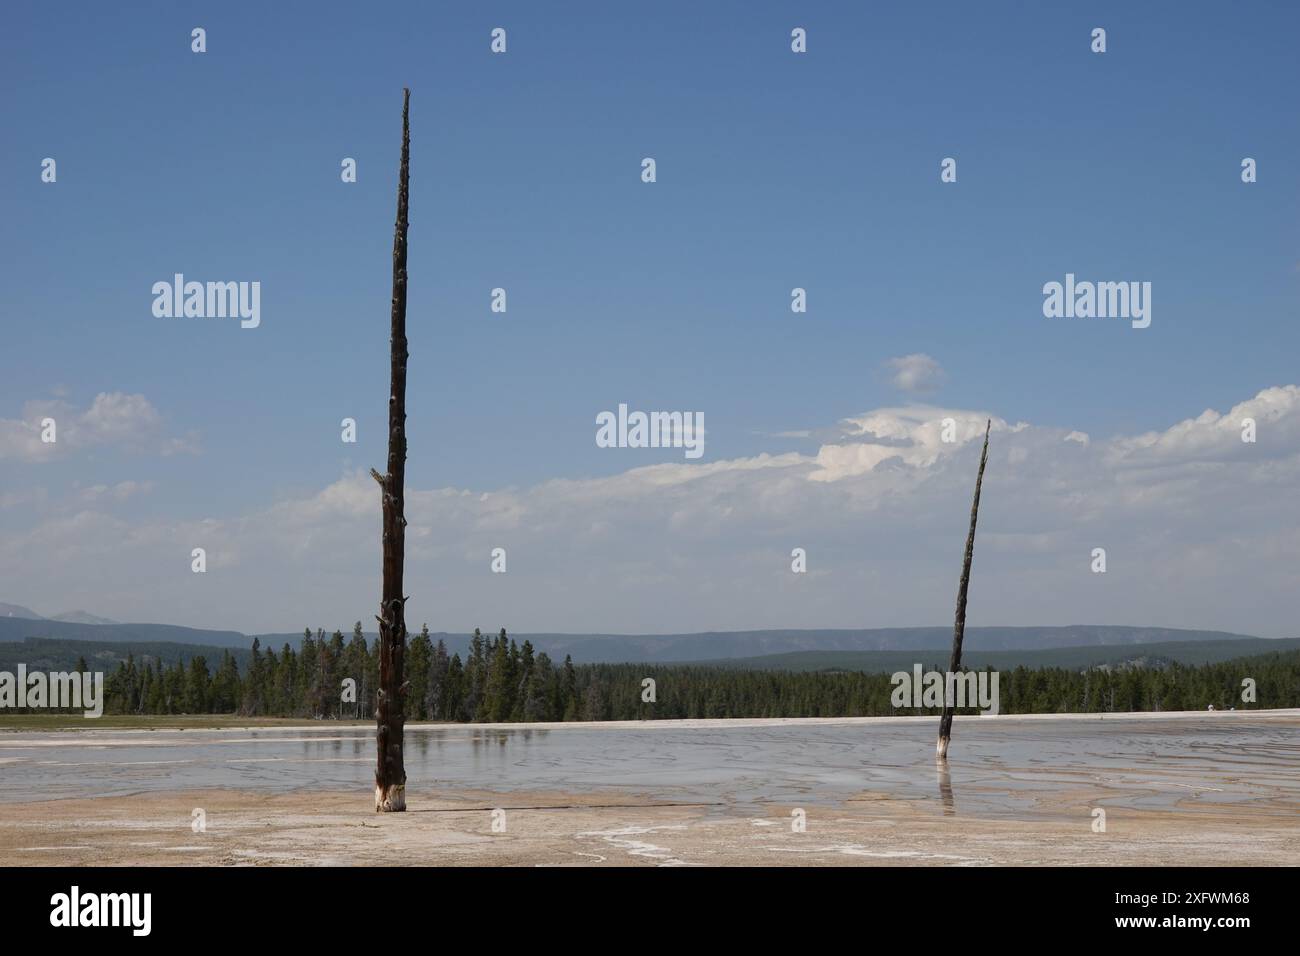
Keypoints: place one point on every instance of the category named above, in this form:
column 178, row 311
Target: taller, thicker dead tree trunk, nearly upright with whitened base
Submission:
column 391, row 772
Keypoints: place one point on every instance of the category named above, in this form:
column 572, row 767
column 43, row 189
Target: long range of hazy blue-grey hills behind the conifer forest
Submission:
column 684, row 648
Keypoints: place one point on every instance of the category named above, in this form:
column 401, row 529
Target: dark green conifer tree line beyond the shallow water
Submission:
column 501, row 681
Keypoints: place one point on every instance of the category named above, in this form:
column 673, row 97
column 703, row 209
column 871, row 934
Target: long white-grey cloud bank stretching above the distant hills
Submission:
column 1201, row 530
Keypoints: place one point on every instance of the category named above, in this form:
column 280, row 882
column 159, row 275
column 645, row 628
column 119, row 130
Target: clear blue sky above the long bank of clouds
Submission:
column 774, row 171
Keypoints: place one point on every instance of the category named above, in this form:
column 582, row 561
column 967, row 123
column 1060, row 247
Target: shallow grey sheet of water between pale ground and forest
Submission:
column 1007, row 765
